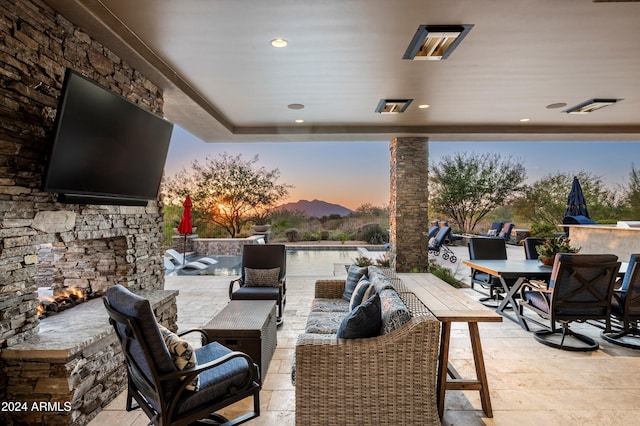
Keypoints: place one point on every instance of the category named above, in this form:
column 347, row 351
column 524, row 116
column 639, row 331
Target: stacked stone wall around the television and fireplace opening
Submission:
column 36, row 46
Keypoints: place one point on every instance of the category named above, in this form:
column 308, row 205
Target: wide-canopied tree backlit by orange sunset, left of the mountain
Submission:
column 227, row 190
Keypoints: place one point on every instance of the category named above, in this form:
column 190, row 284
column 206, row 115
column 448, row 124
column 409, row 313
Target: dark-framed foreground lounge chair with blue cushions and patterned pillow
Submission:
column 174, row 383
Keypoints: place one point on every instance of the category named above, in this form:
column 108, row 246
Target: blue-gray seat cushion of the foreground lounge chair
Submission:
column 216, row 381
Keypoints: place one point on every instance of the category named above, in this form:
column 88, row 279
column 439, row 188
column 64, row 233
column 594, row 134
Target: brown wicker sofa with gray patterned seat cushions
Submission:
column 386, row 379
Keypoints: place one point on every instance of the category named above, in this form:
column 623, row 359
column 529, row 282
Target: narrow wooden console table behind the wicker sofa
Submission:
column 451, row 305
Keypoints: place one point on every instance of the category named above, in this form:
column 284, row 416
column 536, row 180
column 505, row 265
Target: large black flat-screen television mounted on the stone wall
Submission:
column 106, row 149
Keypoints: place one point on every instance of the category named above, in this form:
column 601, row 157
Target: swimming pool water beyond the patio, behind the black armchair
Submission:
column 300, row 261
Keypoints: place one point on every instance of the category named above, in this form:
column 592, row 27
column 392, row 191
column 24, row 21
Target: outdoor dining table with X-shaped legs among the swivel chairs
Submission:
column 520, row 270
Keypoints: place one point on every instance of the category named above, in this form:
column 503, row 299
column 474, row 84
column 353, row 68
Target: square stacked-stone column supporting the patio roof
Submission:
column 408, row 215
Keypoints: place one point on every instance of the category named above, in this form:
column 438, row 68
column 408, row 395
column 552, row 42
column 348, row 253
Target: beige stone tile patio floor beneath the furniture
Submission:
column 530, row 384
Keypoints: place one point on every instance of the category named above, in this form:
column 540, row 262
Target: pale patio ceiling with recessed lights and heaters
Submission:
column 224, row 82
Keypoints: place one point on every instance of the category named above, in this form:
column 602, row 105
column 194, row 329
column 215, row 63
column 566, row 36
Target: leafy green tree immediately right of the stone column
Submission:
column 466, row 187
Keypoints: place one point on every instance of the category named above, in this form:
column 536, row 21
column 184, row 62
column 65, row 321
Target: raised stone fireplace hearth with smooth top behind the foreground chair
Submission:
column 70, row 371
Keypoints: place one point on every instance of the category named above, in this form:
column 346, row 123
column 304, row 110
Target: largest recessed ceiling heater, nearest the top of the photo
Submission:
column 435, row 42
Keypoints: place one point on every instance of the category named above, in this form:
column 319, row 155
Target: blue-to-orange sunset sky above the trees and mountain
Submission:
column 354, row 173
